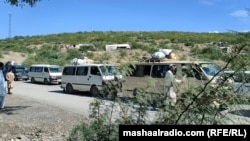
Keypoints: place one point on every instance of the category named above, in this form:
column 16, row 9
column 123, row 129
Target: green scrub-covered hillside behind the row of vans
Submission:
column 51, row 48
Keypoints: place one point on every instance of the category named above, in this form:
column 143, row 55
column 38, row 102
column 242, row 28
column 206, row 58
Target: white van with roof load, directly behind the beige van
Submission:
column 88, row 77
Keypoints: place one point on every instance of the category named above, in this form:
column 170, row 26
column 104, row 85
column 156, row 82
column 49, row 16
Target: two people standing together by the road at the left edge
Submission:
column 6, row 81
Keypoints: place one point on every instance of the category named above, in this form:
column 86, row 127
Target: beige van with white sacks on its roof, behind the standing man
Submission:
column 150, row 75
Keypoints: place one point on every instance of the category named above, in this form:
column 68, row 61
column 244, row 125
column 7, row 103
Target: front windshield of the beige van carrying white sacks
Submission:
column 210, row 68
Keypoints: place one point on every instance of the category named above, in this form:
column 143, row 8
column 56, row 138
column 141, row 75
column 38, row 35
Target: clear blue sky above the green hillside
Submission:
column 70, row 16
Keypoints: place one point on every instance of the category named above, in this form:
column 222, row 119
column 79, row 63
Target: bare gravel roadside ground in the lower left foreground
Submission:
column 26, row 120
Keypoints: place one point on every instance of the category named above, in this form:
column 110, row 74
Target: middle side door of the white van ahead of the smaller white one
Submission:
column 81, row 78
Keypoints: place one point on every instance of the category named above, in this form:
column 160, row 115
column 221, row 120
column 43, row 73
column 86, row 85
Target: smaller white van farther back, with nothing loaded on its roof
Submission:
column 45, row 73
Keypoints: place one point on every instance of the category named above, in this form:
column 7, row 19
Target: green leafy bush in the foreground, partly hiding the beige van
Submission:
column 196, row 105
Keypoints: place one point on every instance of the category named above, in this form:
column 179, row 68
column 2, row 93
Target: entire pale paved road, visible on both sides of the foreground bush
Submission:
column 79, row 103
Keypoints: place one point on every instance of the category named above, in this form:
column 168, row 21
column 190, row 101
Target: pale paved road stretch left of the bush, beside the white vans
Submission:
column 53, row 95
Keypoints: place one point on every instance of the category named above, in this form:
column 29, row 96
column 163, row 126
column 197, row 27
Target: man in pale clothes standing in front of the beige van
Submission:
column 171, row 83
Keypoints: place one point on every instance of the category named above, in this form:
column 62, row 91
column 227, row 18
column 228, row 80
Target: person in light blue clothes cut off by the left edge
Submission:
column 3, row 87
